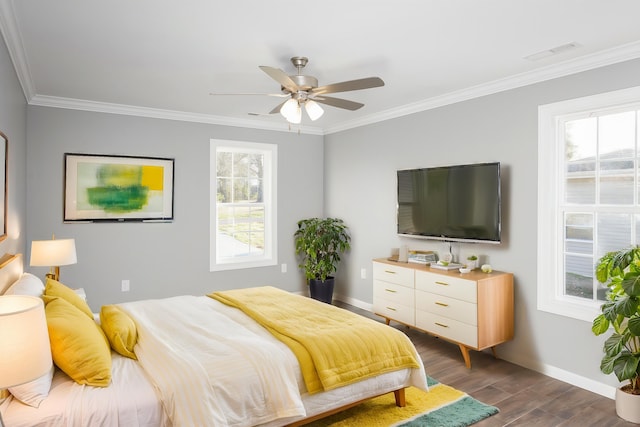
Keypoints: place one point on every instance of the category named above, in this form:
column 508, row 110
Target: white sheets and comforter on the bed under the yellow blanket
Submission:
column 132, row 399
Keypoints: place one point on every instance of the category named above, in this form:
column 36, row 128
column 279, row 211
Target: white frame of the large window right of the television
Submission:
column 551, row 119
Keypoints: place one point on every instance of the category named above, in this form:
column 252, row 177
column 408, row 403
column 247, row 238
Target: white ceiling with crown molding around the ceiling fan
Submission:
column 162, row 58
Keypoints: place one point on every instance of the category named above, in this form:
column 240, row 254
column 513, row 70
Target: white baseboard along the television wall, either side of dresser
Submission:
column 551, row 371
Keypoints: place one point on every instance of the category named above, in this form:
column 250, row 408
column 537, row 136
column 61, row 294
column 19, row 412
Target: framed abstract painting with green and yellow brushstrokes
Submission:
column 117, row 188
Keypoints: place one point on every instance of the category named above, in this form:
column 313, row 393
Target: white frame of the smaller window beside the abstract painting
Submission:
column 269, row 258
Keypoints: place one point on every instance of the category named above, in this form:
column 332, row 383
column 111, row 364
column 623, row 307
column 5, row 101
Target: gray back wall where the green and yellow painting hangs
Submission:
column 164, row 259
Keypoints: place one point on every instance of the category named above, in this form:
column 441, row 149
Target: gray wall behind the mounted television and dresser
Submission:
column 360, row 188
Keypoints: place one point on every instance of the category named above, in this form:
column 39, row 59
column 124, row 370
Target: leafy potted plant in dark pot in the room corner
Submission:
column 319, row 243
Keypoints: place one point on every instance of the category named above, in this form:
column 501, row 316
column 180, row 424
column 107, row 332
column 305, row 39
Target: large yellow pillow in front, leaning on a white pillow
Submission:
column 78, row 345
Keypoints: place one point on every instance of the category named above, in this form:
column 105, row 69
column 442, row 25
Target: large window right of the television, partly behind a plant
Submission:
column 588, row 196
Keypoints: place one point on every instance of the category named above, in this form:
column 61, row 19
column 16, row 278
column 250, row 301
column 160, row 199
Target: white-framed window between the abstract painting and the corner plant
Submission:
column 243, row 205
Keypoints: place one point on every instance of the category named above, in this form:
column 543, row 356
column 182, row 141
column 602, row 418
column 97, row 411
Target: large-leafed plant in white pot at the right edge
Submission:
column 620, row 271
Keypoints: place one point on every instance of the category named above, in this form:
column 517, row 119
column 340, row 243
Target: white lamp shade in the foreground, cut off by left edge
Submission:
column 25, row 352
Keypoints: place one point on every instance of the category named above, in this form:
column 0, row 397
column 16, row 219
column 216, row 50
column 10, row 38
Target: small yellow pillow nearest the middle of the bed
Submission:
column 120, row 330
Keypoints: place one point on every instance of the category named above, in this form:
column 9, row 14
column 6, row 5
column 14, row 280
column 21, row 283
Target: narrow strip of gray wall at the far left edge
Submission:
column 13, row 119
